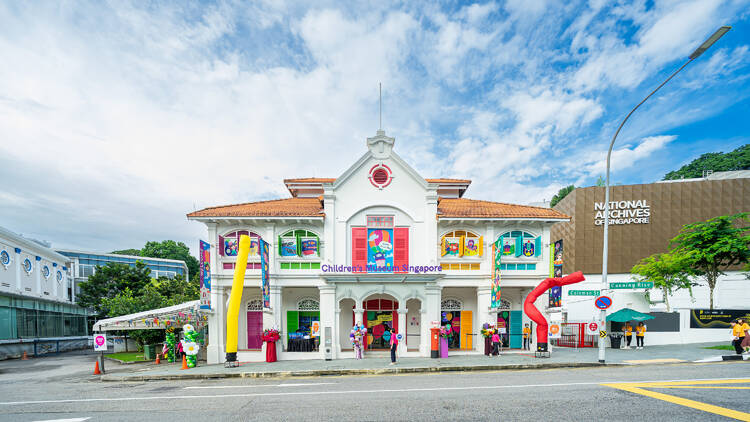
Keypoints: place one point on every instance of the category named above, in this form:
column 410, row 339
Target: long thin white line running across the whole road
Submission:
column 312, row 393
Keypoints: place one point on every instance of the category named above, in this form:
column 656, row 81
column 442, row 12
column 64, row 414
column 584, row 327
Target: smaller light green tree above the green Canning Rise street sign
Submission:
column 669, row 272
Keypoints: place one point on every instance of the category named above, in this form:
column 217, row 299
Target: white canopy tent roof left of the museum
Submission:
column 157, row 319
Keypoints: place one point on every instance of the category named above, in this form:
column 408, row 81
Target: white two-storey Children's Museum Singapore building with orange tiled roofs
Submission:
column 435, row 244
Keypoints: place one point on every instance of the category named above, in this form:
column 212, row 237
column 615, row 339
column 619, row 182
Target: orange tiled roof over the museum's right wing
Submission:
column 472, row 208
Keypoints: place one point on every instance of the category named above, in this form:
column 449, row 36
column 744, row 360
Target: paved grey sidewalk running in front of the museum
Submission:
column 513, row 360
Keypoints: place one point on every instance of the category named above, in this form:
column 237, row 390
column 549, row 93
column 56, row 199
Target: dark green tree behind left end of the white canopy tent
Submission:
column 108, row 281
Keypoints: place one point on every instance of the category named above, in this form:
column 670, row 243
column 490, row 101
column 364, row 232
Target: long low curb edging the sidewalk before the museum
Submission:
column 340, row 372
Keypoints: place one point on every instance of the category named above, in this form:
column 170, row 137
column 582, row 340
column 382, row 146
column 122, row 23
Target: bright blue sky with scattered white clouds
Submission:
column 119, row 118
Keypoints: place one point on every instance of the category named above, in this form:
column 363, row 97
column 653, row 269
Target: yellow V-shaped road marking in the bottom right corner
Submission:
column 639, row 388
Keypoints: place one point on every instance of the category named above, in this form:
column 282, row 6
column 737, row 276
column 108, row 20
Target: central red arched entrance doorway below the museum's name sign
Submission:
column 380, row 316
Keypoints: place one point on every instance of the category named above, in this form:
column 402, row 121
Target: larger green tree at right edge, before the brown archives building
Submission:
column 714, row 245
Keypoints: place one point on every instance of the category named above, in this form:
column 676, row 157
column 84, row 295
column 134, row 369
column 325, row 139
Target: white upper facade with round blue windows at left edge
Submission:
column 29, row 269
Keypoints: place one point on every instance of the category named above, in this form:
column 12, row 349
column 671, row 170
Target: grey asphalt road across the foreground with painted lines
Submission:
column 62, row 388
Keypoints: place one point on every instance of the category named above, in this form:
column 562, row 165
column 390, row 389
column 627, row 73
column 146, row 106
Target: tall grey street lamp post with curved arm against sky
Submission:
column 695, row 54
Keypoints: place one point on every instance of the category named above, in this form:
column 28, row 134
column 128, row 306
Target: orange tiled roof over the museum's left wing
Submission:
column 289, row 207
